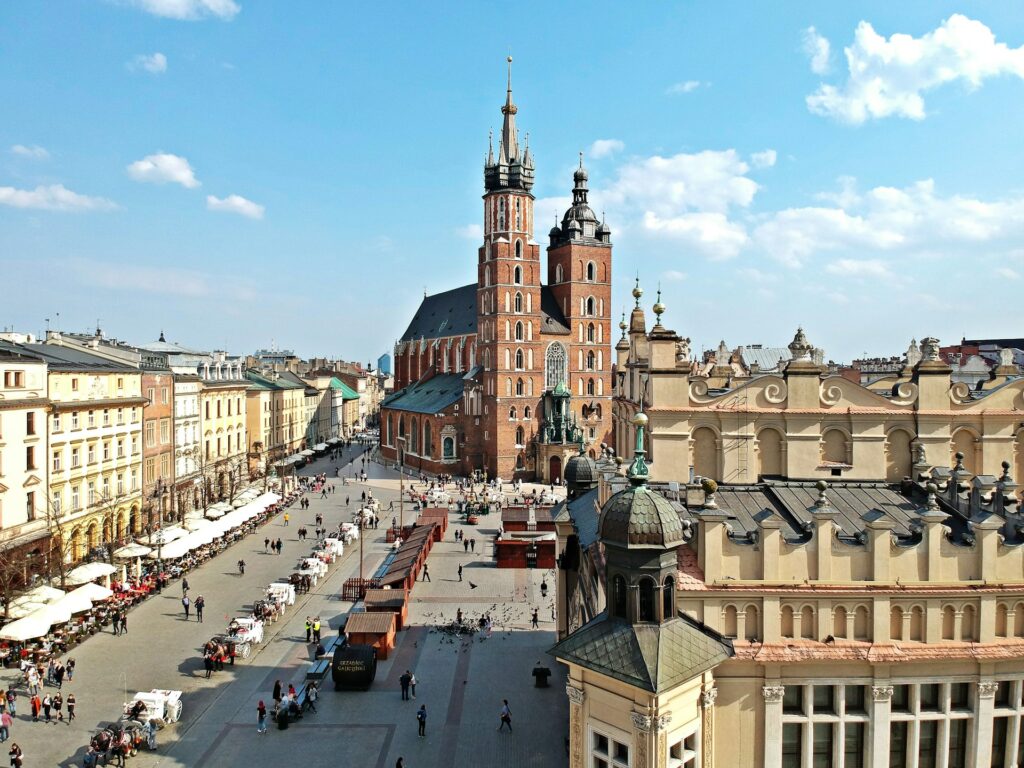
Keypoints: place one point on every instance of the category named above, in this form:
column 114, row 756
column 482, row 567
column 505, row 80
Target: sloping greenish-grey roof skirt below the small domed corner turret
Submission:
column 652, row 657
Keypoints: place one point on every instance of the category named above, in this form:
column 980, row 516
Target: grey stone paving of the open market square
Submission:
column 462, row 682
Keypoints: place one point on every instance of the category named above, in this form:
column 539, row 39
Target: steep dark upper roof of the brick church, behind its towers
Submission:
column 454, row 314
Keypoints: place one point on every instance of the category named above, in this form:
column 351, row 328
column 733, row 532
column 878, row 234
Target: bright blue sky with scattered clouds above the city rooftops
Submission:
column 240, row 172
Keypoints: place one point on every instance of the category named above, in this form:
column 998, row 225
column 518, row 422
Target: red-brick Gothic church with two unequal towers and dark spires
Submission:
column 508, row 375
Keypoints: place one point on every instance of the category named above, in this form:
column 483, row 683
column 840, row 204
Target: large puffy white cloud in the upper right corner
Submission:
column 889, row 77
